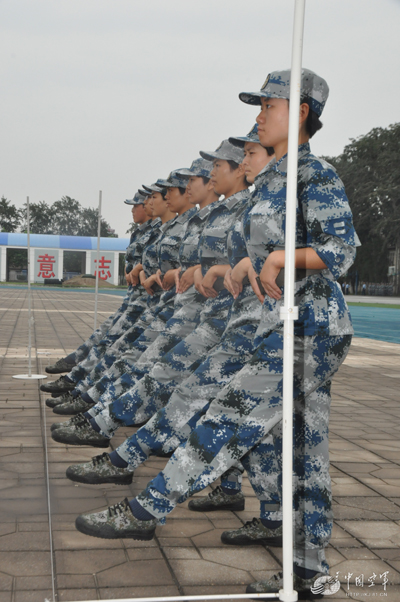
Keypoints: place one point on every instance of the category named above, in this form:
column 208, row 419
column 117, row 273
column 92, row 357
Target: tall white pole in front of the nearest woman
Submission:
column 289, row 313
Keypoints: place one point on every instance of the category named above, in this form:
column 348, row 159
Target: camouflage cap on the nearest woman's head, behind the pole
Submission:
column 277, row 85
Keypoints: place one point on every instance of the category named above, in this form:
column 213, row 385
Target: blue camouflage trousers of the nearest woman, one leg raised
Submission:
column 241, row 416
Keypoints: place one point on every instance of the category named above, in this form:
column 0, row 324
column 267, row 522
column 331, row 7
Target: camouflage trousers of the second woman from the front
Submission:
column 171, row 426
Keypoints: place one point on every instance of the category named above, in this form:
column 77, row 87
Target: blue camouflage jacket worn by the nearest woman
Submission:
column 324, row 223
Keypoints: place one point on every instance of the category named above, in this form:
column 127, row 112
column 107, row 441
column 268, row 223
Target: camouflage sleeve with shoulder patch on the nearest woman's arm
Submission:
column 328, row 218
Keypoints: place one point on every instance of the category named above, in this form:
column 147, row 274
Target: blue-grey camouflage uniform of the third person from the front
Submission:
column 154, row 389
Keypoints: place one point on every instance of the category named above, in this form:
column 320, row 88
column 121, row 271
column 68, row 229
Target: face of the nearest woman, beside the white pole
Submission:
column 273, row 124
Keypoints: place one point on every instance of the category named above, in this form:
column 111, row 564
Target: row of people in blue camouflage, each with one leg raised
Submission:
column 200, row 357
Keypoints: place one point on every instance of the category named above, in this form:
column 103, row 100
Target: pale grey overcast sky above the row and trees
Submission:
column 112, row 94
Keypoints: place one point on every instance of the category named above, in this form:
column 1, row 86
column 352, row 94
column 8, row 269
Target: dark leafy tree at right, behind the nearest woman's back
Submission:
column 369, row 168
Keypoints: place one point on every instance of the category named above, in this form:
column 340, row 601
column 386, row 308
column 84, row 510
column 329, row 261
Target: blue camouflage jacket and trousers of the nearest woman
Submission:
column 246, row 410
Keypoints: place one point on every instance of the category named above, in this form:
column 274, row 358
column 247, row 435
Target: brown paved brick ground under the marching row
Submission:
column 187, row 556
